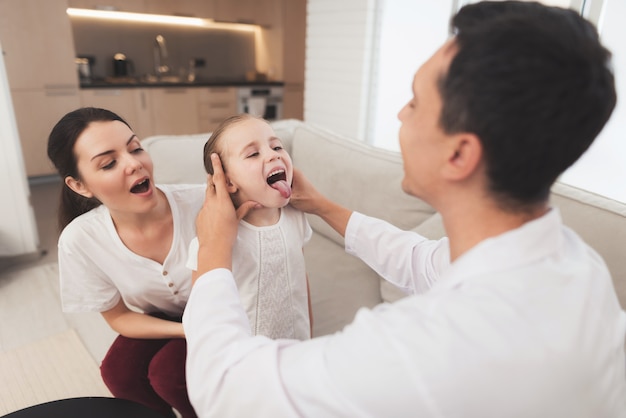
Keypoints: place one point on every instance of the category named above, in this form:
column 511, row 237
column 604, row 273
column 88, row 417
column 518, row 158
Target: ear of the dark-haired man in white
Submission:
column 464, row 157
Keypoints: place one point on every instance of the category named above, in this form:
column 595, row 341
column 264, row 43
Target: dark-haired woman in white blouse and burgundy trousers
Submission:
column 122, row 252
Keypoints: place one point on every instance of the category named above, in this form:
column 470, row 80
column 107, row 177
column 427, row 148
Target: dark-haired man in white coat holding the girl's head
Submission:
column 511, row 315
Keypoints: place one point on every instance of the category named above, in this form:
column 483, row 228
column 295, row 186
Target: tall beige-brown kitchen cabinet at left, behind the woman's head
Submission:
column 38, row 49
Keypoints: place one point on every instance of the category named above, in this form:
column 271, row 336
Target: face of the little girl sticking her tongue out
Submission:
column 256, row 165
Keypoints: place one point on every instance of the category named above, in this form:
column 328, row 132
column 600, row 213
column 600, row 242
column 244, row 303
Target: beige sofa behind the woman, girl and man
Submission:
column 367, row 179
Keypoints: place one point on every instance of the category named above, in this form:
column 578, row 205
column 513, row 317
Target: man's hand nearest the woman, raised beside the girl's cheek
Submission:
column 217, row 222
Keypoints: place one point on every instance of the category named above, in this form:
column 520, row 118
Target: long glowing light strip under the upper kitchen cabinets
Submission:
column 154, row 18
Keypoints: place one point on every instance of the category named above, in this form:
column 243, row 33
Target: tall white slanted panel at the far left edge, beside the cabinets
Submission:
column 18, row 230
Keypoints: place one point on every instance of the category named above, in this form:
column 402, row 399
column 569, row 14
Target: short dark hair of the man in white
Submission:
column 535, row 85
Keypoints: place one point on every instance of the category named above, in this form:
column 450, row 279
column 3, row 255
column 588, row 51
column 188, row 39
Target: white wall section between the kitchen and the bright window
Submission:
column 337, row 66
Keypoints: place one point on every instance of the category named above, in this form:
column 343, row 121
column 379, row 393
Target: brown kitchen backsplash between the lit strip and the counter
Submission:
column 227, row 54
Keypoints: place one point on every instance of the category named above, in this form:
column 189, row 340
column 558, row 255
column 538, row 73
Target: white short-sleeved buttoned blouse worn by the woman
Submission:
column 97, row 269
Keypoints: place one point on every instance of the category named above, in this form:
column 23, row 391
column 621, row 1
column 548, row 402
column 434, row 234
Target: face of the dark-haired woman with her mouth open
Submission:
column 113, row 168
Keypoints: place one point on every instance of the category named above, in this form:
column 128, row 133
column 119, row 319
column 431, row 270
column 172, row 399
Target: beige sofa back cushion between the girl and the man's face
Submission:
column 358, row 176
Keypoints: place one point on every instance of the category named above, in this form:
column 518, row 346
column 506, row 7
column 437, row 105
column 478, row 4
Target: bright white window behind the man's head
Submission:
column 411, row 30
